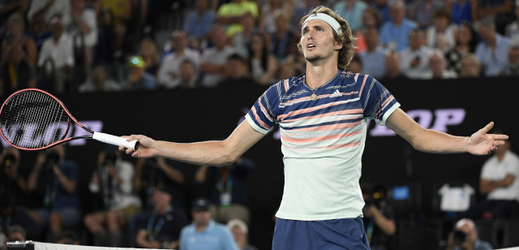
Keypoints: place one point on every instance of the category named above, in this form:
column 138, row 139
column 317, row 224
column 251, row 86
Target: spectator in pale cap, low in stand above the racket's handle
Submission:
column 138, row 78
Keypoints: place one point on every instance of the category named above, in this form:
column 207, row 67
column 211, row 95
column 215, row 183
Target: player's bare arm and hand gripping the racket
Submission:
column 220, row 152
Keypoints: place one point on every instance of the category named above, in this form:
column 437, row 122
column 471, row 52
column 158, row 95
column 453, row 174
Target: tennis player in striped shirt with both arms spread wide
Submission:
column 322, row 116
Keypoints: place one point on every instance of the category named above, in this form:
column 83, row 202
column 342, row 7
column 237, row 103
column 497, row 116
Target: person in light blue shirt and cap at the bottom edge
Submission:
column 204, row 233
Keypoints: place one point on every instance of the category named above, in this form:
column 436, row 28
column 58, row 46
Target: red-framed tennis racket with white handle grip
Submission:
column 32, row 119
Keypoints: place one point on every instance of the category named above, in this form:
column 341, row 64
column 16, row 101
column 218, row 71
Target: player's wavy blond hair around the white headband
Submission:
column 346, row 38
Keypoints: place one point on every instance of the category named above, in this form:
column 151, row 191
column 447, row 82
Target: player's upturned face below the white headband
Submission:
column 317, row 41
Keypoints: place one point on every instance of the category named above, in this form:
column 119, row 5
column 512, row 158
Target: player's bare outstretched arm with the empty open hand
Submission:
column 432, row 141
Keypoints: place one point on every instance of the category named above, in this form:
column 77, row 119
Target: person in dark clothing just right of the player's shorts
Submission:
column 378, row 217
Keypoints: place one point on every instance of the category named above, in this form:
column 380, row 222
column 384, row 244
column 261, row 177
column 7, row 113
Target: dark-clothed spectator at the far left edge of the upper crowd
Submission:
column 17, row 36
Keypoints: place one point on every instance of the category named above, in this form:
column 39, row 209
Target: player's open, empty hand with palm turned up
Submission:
column 482, row 143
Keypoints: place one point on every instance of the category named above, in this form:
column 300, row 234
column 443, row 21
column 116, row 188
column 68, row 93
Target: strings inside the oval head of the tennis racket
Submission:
column 33, row 119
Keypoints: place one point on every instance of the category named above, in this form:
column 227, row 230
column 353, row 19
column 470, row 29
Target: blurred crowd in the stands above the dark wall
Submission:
column 66, row 46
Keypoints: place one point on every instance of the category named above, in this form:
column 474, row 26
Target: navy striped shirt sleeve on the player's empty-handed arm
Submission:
column 377, row 102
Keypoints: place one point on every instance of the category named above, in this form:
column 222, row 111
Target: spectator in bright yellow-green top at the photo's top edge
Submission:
column 231, row 12
